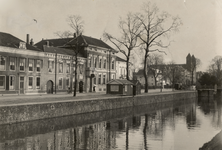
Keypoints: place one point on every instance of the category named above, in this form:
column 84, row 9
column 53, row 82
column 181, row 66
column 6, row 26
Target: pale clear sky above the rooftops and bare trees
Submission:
column 200, row 35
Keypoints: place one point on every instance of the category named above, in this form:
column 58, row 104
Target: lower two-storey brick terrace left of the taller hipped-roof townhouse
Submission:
column 25, row 68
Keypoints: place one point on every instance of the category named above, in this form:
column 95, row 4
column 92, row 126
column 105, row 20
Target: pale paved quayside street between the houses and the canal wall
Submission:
column 10, row 100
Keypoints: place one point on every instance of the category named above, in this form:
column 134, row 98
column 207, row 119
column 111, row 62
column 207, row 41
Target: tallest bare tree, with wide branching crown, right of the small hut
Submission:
column 154, row 26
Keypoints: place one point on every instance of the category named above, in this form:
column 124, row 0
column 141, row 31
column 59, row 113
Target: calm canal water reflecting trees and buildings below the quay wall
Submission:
column 179, row 125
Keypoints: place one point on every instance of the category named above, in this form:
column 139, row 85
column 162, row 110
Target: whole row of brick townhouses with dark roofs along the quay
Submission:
column 48, row 66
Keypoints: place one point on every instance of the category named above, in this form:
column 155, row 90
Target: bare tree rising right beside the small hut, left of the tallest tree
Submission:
column 129, row 29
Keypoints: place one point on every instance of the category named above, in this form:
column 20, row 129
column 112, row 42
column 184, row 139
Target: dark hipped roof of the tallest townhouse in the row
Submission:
column 81, row 39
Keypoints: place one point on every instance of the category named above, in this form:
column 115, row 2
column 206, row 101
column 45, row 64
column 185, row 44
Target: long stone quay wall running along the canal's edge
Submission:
column 30, row 112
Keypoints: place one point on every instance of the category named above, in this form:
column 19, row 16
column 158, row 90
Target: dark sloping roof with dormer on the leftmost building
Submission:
column 9, row 40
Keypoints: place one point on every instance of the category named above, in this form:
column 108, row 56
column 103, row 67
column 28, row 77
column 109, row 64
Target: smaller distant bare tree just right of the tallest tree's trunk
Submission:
column 155, row 65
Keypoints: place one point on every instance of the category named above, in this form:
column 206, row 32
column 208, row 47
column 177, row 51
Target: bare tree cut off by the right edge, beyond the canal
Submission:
column 215, row 68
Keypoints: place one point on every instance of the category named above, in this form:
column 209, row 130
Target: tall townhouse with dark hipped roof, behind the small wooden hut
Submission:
column 100, row 58
